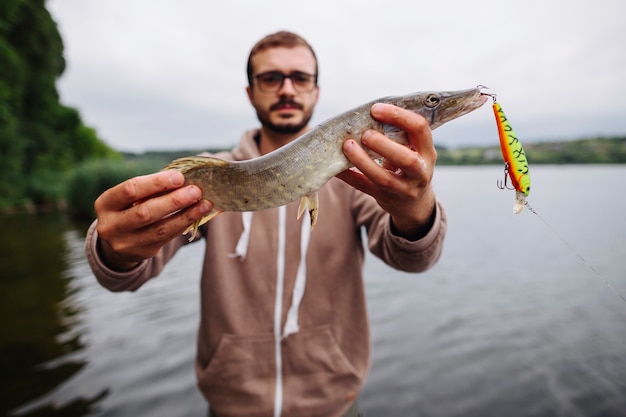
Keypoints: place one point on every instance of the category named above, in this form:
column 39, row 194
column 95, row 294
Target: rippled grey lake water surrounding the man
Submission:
column 516, row 319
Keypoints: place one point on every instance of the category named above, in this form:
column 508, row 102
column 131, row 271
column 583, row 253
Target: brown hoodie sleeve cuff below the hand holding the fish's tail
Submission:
column 126, row 280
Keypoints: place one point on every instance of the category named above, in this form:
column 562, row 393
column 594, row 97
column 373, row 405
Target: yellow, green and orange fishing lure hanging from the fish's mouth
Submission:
column 515, row 161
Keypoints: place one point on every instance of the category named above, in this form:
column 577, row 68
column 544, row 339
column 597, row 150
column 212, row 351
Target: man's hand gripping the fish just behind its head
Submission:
column 402, row 186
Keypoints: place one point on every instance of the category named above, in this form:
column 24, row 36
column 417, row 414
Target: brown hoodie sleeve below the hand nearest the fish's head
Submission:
column 398, row 252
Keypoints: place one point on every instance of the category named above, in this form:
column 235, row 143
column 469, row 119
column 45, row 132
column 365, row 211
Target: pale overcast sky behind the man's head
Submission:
column 170, row 74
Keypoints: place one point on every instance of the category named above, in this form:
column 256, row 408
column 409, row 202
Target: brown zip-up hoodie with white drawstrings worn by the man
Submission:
column 247, row 363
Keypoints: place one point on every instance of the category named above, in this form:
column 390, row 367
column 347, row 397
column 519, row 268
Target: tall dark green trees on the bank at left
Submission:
column 41, row 140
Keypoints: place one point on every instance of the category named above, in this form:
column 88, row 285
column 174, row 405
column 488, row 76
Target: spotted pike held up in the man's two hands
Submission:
column 300, row 168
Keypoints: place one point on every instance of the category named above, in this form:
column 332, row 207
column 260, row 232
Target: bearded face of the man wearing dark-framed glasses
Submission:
column 288, row 109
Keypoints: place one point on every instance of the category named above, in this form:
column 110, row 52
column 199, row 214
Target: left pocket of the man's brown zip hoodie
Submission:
column 240, row 378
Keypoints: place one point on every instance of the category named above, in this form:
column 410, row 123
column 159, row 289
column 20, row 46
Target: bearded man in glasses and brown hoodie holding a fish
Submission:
column 283, row 327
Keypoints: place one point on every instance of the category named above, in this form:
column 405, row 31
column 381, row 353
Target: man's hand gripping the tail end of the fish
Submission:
column 140, row 215
